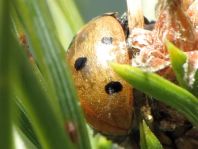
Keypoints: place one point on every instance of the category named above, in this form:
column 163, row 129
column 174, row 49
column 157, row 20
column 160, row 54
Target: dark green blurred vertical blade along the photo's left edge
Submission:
column 5, row 81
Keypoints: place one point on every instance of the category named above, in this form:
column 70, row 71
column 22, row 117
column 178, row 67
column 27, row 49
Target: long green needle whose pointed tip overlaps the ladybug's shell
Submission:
column 161, row 89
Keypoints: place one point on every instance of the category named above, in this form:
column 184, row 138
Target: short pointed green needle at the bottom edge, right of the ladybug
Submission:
column 147, row 139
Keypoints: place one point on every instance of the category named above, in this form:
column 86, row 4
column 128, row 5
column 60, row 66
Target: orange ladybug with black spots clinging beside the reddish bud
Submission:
column 106, row 99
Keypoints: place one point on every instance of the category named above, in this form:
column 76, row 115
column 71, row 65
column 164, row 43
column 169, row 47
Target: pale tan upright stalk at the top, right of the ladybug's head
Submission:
column 135, row 14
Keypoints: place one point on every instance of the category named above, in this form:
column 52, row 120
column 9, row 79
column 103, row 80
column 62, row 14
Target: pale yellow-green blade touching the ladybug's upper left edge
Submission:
column 64, row 20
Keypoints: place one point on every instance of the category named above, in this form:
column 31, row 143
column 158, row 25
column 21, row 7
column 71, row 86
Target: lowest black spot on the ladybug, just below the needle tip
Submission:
column 113, row 87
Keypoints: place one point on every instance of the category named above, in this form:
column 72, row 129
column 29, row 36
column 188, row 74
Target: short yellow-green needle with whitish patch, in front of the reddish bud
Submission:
column 186, row 74
